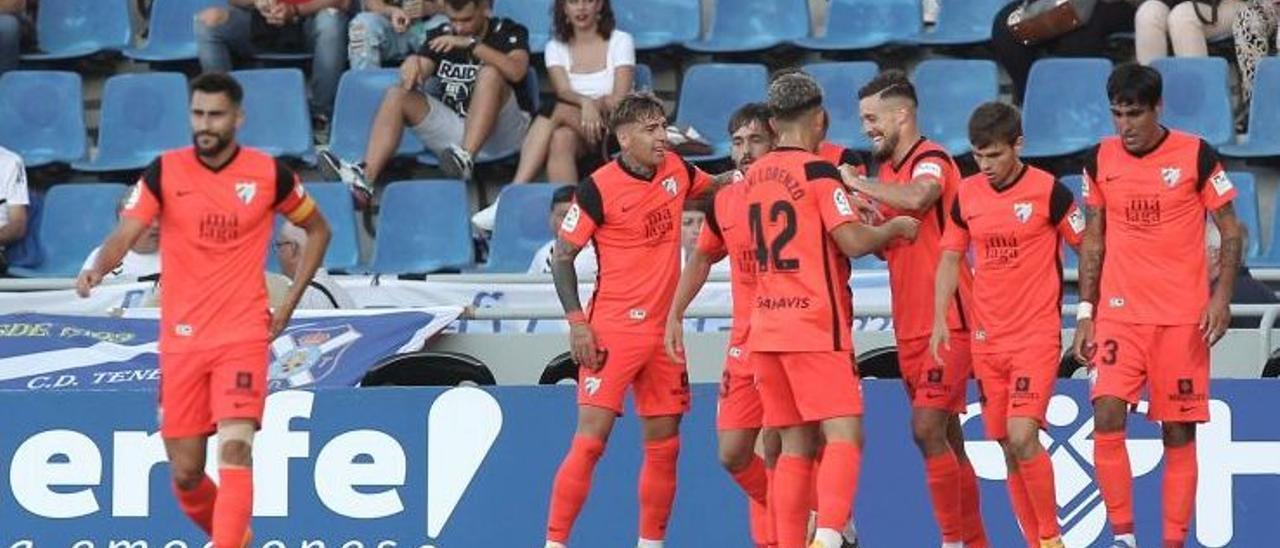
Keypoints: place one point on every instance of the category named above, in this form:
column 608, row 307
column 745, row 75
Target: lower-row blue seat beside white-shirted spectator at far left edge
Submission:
column 76, row 218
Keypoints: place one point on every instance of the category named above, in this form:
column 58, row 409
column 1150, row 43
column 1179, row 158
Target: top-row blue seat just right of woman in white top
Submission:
column 659, row 24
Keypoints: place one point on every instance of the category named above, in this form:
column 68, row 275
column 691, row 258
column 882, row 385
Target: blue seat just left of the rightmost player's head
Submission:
column 1067, row 108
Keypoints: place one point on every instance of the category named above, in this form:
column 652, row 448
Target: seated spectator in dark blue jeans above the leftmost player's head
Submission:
column 257, row 26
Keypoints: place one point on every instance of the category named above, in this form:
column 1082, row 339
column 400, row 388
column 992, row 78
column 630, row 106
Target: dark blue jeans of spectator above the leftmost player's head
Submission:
column 326, row 36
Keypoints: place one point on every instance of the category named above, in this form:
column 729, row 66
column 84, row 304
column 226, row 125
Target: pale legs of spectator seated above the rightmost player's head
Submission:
column 1190, row 25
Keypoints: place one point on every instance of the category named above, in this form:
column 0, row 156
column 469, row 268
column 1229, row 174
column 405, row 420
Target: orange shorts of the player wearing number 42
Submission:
column 807, row 387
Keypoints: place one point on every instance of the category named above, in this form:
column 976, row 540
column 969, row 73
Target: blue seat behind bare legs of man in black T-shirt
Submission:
column 359, row 95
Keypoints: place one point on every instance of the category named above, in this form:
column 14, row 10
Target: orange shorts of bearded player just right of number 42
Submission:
column 929, row 383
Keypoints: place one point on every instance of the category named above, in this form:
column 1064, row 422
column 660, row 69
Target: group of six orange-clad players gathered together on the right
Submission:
column 976, row 276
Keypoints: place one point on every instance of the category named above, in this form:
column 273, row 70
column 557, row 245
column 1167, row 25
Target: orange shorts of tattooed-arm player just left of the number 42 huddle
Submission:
column 661, row 386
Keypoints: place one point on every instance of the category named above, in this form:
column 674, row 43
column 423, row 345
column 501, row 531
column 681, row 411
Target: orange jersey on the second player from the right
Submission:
column 1017, row 235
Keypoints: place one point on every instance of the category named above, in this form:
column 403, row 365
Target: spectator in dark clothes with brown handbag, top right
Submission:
column 1089, row 42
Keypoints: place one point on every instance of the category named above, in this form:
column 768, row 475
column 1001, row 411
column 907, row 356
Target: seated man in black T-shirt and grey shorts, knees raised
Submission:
column 477, row 99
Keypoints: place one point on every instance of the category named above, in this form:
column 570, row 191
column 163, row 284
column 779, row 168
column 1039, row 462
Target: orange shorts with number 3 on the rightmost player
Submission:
column 1171, row 360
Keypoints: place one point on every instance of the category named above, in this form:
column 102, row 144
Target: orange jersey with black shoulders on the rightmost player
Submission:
column 1155, row 270
